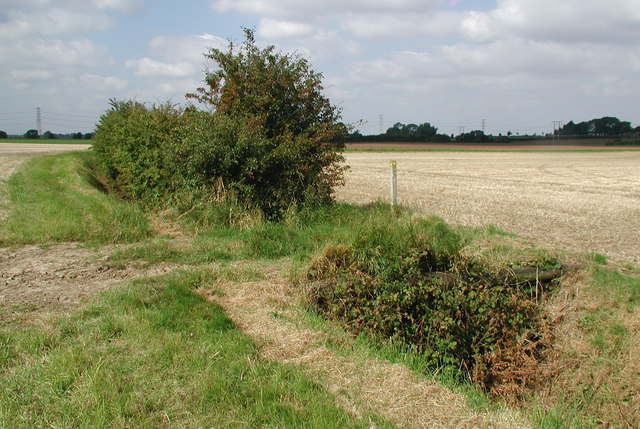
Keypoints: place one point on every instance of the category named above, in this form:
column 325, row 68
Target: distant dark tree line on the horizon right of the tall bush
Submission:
column 606, row 126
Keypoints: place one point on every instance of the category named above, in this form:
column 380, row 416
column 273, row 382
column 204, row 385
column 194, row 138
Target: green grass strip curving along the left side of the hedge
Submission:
column 50, row 201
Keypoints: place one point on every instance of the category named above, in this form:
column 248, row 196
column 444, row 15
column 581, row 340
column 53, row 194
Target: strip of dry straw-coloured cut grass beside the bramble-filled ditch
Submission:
column 266, row 311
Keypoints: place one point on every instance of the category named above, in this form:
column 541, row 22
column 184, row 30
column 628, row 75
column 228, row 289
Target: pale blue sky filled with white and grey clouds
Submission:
column 518, row 65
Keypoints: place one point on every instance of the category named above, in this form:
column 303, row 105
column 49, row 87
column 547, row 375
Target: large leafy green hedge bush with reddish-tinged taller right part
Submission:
column 271, row 139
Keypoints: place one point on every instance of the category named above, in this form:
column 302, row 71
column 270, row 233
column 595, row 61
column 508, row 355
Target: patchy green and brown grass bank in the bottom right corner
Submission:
column 599, row 342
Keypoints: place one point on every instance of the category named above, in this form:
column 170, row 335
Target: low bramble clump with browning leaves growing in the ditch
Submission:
column 411, row 282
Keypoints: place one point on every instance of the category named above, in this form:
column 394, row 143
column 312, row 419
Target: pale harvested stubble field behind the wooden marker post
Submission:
column 584, row 201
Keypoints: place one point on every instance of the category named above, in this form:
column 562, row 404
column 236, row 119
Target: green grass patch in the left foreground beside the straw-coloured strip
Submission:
column 153, row 354
